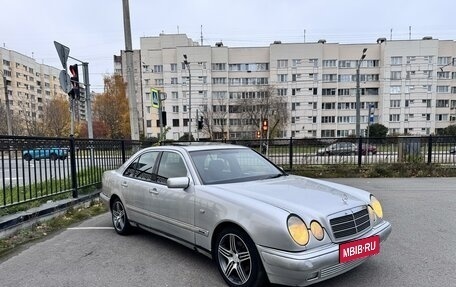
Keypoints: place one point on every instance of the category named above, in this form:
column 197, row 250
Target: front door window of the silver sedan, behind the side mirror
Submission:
column 171, row 165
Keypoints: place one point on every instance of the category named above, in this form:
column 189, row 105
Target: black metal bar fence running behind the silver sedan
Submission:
column 37, row 168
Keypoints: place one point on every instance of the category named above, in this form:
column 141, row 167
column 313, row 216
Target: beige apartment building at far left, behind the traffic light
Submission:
column 29, row 85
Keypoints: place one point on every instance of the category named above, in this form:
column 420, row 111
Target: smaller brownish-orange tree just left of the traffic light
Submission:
column 56, row 118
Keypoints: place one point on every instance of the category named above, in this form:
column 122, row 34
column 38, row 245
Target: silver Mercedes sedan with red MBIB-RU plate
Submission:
column 257, row 222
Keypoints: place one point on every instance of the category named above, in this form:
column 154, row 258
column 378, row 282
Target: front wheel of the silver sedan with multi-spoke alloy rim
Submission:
column 238, row 260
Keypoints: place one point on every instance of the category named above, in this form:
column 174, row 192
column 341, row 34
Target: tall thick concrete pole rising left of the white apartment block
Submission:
column 130, row 76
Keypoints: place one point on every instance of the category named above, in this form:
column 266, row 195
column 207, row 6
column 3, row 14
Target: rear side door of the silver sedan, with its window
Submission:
column 136, row 186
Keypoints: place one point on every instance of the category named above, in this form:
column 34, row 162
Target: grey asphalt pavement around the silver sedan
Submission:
column 419, row 252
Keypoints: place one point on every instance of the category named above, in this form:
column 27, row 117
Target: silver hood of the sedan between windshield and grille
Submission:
column 301, row 195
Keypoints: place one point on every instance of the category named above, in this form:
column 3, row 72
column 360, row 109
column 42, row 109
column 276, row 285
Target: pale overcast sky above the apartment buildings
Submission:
column 93, row 29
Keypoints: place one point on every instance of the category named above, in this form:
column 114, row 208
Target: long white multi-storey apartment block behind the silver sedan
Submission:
column 408, row 85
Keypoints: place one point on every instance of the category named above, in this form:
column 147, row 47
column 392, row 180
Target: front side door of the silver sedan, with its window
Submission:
column 175, row 210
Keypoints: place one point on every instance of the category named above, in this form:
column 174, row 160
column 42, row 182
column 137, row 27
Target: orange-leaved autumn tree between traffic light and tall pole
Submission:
column 111, row 108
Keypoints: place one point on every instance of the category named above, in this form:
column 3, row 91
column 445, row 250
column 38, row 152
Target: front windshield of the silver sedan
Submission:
column 232, row 165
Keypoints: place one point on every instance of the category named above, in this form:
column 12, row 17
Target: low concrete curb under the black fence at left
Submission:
column 13, row 222
